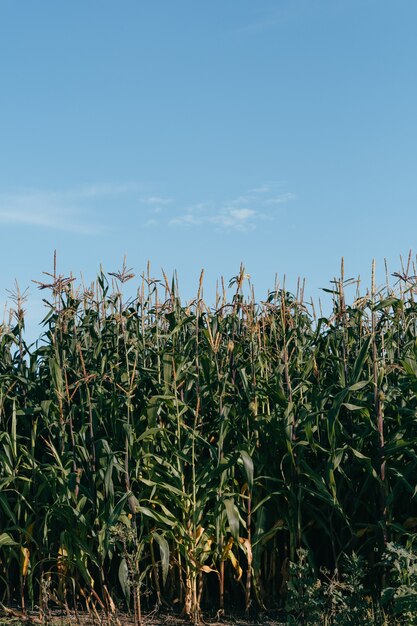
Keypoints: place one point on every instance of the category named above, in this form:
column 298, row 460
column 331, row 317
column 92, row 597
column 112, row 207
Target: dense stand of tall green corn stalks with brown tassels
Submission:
column 169, row 454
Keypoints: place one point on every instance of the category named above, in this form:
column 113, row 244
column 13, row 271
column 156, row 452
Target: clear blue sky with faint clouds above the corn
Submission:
column 279, row 133
